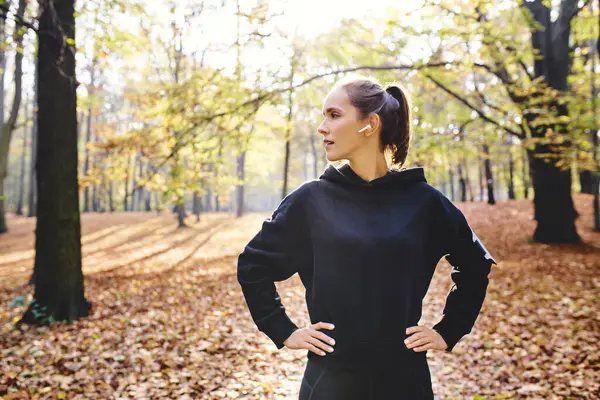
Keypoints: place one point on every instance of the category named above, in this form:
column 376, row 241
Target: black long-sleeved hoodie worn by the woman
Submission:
column 366, row 253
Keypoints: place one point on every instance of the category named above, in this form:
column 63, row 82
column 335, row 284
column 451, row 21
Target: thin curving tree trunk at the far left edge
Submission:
column 9, row 126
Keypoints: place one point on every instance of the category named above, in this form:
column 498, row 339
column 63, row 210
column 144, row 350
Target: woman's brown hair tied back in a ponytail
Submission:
column 368, row 96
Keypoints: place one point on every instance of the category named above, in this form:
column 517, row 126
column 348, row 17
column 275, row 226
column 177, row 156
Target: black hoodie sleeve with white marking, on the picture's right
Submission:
column 471, row 266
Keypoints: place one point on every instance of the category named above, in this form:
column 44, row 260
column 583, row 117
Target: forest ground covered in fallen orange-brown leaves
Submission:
column 169, row 319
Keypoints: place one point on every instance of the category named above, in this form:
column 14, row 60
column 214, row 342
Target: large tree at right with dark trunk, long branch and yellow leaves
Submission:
column 536, row 110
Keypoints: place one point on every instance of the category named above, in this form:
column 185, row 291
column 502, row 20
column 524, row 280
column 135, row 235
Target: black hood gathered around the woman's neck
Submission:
column 345, row 175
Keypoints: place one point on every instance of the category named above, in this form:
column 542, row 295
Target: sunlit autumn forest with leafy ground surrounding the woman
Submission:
column 142, row 144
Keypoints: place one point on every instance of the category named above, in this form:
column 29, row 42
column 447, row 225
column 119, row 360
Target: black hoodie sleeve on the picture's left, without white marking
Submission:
column 274, row 254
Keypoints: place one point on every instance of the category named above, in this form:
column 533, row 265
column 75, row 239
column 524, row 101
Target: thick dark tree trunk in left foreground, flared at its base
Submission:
column 59, row 290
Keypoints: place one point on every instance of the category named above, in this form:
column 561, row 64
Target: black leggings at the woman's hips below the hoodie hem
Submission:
column 321, row 382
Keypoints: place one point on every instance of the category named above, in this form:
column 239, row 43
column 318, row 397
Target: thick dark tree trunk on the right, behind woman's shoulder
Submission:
column 554, row 209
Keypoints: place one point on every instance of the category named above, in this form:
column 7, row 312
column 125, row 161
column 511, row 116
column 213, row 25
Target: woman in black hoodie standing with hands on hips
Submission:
column 365, row 239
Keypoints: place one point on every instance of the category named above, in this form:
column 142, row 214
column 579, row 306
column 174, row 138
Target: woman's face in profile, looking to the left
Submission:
column 340, row 126
